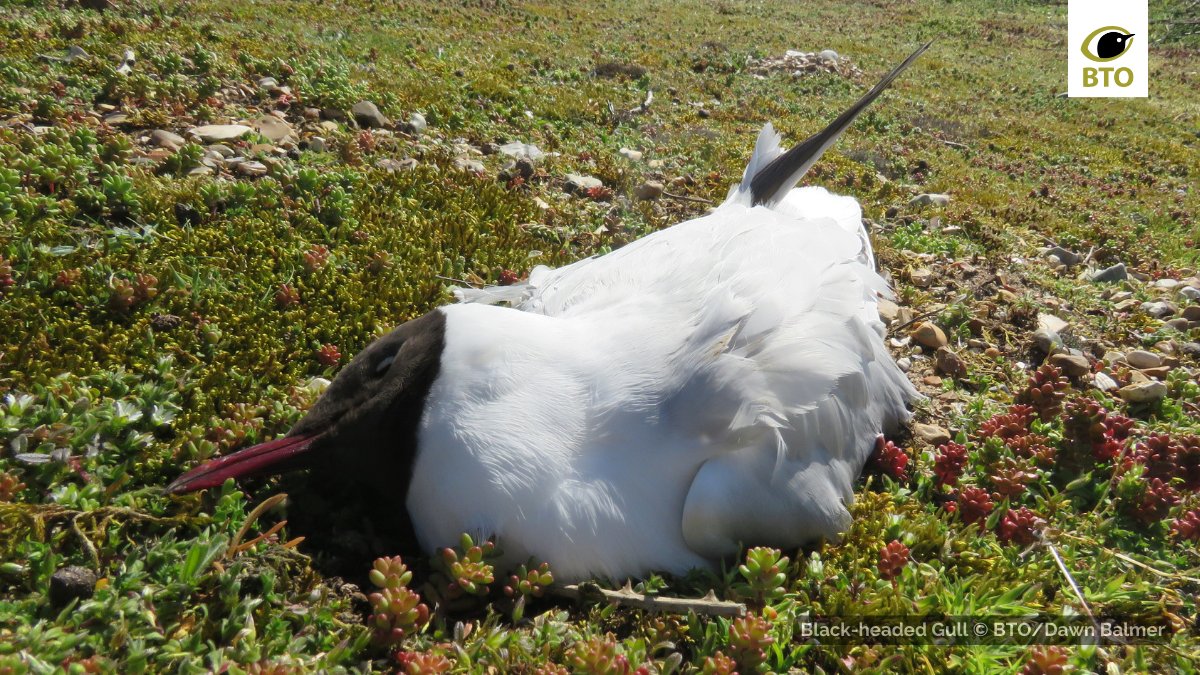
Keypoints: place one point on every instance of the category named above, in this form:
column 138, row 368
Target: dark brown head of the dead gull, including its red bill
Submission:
column 365, row 423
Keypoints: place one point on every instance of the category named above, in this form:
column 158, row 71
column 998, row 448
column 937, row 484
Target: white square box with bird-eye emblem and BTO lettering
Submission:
column 1087, row 16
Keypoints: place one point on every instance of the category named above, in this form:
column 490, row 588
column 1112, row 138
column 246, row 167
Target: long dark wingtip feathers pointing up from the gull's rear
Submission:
column 784, row 172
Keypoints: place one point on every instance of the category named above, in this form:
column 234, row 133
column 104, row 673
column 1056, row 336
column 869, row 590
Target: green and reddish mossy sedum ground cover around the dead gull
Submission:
column 160, row 307
